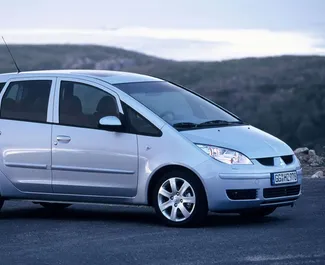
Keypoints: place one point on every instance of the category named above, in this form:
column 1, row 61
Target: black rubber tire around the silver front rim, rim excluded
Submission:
column 201, row 206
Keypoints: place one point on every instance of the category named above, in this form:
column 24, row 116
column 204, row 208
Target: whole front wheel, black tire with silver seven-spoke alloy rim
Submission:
column 179, row 199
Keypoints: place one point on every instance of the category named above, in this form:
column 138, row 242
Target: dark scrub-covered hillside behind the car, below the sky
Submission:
column 282, row 95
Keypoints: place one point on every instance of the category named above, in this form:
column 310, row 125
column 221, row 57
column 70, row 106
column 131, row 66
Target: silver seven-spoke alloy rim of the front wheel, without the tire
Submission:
column 176, row 199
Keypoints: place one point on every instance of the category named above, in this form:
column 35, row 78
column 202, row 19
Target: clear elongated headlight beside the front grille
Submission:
column 225, row 155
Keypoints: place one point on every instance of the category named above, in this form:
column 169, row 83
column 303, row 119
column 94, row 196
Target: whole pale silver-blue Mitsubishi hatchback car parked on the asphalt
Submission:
column 78, row 136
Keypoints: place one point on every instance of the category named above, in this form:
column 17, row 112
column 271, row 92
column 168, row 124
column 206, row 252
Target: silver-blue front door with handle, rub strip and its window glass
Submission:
column 87, row 160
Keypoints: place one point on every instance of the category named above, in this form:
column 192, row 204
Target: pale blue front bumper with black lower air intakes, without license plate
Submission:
column 219, row 179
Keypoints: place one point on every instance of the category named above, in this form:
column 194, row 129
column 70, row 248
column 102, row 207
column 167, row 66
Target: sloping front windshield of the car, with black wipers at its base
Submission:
column 177, row 106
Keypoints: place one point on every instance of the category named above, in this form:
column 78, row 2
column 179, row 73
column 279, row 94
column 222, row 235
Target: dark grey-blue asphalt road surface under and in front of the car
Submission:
column 94, row 235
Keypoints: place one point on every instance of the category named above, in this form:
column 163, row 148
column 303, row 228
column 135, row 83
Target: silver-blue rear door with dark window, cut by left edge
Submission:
column 25, row 133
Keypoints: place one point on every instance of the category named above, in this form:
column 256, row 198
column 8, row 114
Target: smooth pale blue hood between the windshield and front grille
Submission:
column 248, row 140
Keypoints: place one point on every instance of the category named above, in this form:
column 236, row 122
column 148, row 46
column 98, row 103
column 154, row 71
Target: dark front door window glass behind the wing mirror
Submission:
column 83, row 105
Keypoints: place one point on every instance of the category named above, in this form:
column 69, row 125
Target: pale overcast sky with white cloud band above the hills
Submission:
column 175, row 29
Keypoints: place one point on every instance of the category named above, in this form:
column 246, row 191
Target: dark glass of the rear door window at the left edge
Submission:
column 26, row 100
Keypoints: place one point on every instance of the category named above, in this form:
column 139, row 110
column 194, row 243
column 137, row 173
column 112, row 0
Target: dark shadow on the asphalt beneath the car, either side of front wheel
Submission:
column 132, row 215
